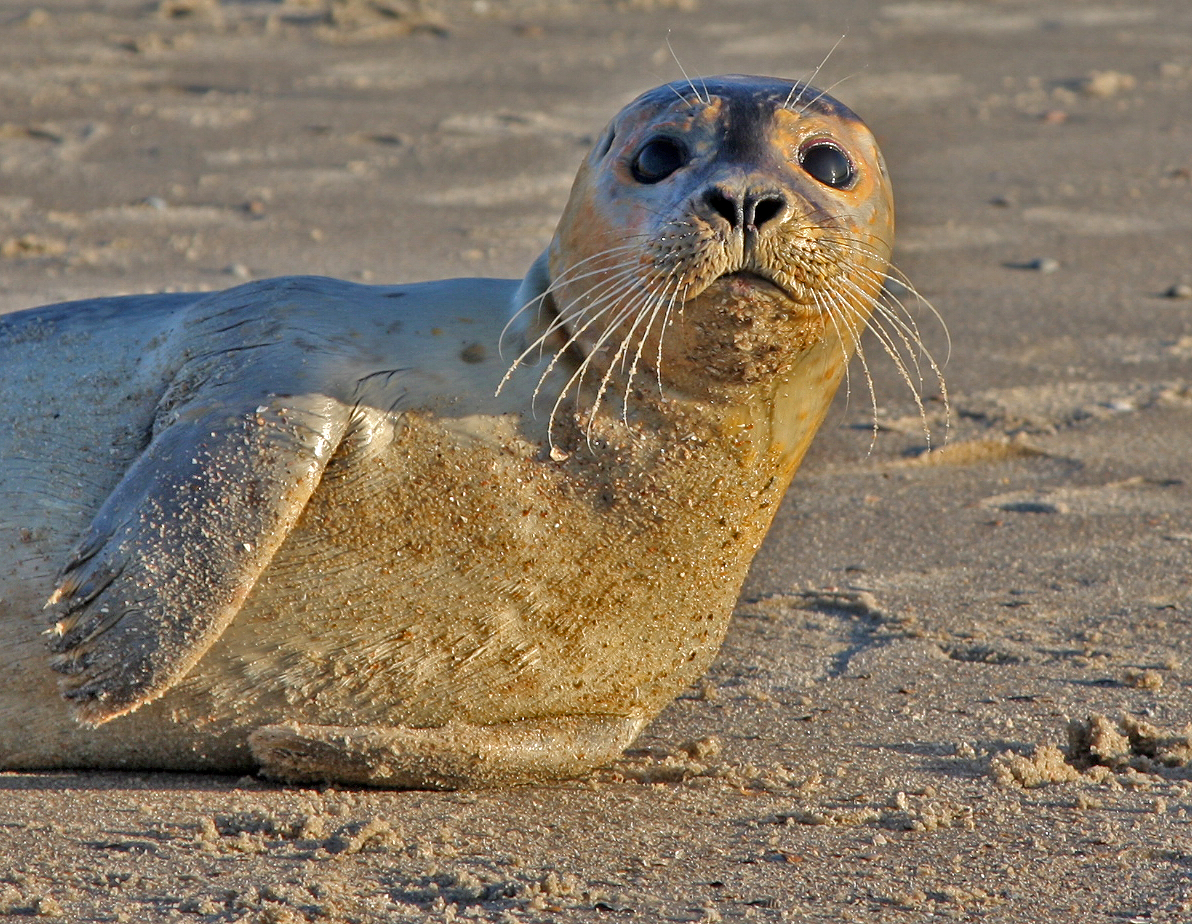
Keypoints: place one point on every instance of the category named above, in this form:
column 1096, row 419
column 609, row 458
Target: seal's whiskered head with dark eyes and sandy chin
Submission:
column 716, row 231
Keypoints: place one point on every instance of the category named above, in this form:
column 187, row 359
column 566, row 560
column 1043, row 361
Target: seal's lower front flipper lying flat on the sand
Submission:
column 454, row 758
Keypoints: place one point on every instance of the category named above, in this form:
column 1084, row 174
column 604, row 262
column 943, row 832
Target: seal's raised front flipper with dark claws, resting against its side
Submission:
column 181, row 543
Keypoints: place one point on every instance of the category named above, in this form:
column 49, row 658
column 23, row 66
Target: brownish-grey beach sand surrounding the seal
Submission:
column 886, row 735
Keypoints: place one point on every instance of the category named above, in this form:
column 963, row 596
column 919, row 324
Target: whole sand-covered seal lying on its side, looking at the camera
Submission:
column 458, row 534
